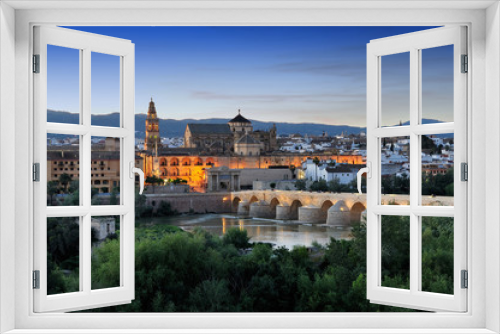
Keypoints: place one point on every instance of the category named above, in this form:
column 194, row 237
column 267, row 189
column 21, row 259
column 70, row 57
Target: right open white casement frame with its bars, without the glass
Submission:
column 414, row 43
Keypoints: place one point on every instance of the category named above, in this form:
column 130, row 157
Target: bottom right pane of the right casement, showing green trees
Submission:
column 437, row 254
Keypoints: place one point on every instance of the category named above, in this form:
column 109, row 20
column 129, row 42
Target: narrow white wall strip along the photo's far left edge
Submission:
column 7, row 157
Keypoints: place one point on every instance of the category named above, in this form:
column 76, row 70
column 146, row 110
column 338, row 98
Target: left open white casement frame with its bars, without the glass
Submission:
column 86, row 44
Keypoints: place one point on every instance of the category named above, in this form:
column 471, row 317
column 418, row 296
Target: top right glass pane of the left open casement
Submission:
column 105, row 89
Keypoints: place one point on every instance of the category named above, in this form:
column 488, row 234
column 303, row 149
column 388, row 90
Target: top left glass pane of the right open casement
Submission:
column 395, row 93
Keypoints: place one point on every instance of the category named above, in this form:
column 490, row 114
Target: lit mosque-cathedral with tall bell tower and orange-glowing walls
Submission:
column 234, row 145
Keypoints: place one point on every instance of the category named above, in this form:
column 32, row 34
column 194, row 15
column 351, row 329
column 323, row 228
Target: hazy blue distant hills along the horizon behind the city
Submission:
column 176, row 128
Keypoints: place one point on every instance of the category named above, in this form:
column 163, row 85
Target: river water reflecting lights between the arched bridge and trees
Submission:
column 275, row 232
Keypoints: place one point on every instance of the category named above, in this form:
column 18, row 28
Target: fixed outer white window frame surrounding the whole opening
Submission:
column 483, row 248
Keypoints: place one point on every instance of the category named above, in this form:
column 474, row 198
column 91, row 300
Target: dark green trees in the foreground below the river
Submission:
column 178, row 271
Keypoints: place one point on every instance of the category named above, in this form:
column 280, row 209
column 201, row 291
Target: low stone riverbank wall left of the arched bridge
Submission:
column 193, row 202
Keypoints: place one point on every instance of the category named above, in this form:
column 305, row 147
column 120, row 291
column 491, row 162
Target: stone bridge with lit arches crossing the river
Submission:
column 312, row 207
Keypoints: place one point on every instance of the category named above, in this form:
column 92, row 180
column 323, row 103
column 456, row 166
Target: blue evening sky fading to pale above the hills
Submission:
column 280, row 74
